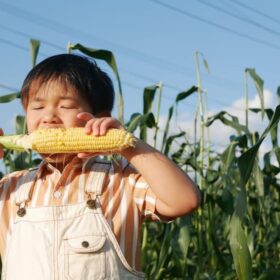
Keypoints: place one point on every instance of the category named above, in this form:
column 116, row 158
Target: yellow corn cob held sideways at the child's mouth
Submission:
column 70, row 140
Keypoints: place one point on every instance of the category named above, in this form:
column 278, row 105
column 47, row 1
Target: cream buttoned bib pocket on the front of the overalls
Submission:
column 84, row 257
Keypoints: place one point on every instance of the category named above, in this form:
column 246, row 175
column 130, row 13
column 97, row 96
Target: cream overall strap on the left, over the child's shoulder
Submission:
column 24, row 187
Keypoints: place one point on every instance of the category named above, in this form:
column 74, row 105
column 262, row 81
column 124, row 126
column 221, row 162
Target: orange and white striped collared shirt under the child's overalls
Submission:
column 126, row 199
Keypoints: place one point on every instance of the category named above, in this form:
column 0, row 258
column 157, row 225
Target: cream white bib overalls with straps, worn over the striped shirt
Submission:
column 64, row 242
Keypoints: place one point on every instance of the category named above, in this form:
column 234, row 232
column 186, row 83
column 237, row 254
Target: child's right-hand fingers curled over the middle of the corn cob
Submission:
column 97, row 127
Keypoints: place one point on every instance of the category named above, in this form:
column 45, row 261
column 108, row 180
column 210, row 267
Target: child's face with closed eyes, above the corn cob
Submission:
column 55, row 105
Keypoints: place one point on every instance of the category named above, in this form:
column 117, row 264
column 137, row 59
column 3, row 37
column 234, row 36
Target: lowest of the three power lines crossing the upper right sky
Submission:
column 185, row 13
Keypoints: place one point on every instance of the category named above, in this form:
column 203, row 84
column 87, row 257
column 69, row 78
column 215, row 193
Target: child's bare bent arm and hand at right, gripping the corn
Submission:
column 176, row 192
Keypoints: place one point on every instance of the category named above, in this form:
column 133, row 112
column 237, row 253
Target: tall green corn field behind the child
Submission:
column 235, row 234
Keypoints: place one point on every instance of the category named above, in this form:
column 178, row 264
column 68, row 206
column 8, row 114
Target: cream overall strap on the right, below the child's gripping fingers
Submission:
column 98, row 173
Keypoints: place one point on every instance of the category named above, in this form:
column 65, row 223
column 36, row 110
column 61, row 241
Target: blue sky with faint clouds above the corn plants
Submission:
column 153, row 40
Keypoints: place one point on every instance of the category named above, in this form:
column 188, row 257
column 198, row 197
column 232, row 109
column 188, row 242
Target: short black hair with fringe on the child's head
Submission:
column 82, row 73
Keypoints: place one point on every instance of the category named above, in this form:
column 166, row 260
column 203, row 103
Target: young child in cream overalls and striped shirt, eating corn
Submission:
column 77, row 216
